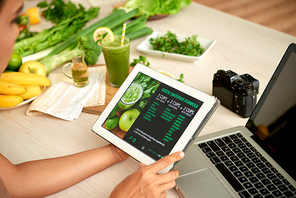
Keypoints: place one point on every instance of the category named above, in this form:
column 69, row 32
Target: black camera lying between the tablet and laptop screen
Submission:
column 236, row 92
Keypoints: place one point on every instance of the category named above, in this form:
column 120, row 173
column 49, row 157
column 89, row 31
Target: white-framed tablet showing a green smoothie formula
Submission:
column 153, row 115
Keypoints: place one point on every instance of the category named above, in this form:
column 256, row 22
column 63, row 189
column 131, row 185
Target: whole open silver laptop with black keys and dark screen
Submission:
column 255, row 160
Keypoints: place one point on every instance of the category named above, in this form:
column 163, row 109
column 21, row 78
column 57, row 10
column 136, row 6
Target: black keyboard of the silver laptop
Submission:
column 249, row 173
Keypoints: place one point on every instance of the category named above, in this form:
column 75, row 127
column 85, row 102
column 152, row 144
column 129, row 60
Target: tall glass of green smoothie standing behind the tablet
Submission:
column 116, row 59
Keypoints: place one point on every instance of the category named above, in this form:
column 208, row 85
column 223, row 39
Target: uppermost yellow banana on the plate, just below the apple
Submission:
column 25, row 78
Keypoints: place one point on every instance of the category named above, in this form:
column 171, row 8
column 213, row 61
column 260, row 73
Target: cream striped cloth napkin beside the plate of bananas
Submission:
column 63, row 100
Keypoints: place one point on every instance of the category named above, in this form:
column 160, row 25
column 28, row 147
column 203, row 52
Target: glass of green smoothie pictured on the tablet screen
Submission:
column 131, row 96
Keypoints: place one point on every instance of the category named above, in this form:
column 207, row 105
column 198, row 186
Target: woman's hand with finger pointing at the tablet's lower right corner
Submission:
column 145, row 182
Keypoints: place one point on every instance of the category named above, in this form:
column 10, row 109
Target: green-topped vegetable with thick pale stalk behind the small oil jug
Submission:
column 85, row 44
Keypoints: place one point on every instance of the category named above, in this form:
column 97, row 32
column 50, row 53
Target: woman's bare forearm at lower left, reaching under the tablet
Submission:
column 44, row 177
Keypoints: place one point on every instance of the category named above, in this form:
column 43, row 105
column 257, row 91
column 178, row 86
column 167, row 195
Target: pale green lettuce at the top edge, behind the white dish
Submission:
column 153, row 7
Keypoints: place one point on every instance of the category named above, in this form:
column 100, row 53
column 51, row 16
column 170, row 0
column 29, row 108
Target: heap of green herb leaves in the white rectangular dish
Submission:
column 169, row 43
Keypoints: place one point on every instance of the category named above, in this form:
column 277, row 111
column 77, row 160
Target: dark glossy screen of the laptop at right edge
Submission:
column 273, row 121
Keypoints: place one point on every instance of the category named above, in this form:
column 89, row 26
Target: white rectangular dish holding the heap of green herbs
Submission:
column 146, row 47
